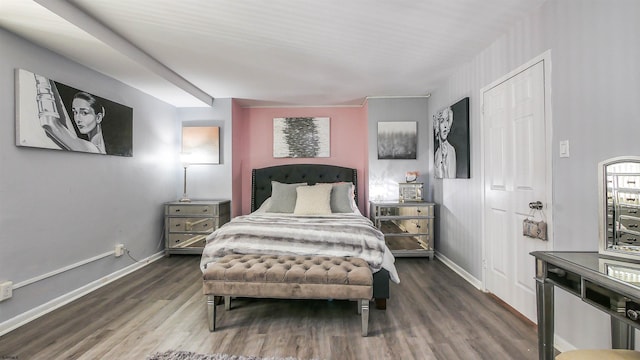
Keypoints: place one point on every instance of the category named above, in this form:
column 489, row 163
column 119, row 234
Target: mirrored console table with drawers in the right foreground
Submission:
column 609, row 284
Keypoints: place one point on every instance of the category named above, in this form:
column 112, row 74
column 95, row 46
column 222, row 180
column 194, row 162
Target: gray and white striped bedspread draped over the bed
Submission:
column 345, row 234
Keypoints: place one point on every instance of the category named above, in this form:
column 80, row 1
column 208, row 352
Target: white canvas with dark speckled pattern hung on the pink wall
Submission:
column 301, row 137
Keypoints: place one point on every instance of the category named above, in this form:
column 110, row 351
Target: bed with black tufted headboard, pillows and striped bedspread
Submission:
column 275, row 217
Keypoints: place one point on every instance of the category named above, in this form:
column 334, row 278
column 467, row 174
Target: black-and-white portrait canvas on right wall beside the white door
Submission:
column 451, row 141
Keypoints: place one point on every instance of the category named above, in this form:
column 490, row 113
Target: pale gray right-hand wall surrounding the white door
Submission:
column 595, row 81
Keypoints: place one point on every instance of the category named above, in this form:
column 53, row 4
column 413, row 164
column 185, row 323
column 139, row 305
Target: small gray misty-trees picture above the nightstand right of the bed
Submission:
column 397, row 140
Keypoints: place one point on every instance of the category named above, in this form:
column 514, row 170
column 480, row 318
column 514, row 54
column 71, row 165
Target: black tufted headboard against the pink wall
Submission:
column 294, row 173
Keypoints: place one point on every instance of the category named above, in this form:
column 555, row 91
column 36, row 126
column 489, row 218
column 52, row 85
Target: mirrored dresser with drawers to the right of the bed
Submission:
column 407, row 226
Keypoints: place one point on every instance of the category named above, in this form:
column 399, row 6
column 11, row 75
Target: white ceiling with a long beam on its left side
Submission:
column 275, row 52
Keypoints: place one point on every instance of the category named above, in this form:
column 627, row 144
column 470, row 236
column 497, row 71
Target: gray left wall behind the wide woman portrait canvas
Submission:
column 59, row 208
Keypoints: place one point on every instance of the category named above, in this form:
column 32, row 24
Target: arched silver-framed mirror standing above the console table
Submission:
column 619, row 196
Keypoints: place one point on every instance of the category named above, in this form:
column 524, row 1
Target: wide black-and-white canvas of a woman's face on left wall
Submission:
column 52, row 115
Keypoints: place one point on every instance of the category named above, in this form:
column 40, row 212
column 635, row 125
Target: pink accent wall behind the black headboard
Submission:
column 253, row 145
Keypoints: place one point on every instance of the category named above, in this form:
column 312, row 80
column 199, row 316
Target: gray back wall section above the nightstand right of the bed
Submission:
column 384, row 174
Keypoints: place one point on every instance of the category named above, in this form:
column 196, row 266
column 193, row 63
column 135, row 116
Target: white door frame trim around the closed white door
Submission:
column 545, row 58
